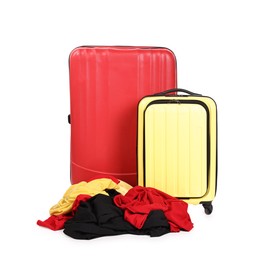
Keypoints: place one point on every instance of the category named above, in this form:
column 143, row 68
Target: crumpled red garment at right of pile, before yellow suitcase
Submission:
column 139, row 201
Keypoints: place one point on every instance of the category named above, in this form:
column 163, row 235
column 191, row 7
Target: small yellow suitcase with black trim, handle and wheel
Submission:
column 177, row 145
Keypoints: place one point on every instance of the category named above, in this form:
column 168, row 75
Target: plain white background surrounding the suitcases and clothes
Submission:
column 217, row 46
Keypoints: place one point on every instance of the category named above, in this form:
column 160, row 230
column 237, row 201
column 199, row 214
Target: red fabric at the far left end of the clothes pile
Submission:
column 56, row 222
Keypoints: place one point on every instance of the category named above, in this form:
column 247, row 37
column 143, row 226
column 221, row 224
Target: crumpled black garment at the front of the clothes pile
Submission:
column 99, row 216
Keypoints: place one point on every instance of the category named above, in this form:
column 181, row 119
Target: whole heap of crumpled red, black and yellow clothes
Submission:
column 109, row 206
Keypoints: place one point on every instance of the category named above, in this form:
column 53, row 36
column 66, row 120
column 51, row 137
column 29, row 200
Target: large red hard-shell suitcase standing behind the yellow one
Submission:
column 106, row 84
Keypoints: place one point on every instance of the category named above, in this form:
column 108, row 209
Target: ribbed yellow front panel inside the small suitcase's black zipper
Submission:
column 175, row 150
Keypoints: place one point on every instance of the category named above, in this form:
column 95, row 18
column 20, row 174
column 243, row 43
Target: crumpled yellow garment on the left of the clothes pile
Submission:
column 92, row 188
